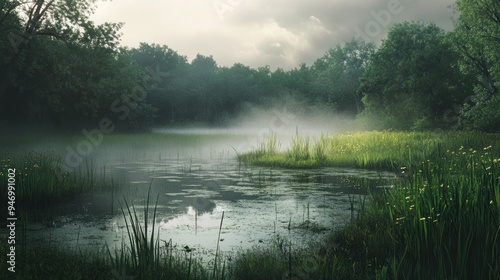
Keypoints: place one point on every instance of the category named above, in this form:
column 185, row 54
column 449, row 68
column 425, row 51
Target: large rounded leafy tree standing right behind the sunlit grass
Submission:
column 413, row 79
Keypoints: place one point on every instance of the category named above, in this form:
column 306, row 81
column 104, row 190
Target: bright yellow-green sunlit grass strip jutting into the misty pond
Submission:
column 383, row 150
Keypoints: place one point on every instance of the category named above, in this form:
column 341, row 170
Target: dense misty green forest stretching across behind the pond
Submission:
column 58, row 69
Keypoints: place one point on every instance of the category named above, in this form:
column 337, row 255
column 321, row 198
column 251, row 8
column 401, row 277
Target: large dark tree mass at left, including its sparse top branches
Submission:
column 58, row 66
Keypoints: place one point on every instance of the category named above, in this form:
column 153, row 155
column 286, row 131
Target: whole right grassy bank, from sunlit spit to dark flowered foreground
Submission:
column 441, row 221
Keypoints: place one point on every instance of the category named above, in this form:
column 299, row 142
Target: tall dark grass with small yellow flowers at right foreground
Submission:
column 446, row 217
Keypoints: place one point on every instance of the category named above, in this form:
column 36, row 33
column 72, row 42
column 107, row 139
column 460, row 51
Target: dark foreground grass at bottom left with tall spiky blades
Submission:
column 144, row 257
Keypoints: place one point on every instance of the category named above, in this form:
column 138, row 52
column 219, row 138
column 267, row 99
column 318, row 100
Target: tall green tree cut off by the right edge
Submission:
column 477, row 37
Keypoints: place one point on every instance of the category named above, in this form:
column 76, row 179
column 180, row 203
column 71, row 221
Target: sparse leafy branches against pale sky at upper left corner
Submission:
column 64, row 20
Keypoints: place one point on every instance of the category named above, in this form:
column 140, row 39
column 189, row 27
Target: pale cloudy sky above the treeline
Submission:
column 278, row 33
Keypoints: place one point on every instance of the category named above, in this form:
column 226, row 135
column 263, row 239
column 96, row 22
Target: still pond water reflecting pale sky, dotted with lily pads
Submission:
column 195, row 178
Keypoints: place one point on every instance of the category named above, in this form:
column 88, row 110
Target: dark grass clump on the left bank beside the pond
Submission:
column 38, row 184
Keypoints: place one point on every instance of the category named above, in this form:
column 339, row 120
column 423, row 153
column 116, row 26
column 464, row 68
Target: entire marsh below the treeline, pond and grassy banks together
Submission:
column 369, row 205
